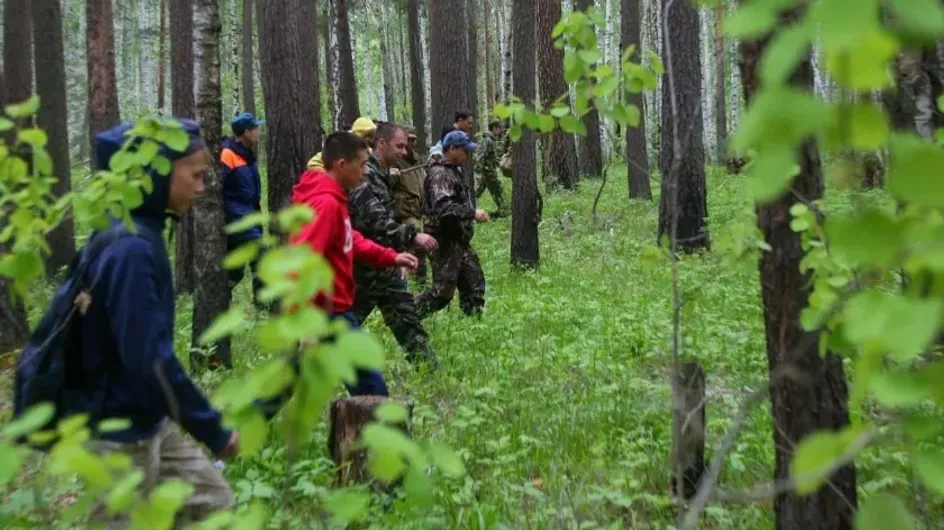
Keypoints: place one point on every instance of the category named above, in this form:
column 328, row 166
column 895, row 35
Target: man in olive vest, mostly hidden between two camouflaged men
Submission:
column 407, row 179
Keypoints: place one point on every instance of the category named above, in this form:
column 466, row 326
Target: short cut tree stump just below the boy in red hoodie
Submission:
column 349, row 416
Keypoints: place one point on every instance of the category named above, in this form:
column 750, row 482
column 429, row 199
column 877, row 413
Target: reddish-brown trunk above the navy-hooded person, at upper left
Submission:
column 100, row 54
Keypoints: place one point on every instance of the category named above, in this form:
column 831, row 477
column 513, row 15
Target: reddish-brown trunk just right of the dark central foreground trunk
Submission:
column 560, row 152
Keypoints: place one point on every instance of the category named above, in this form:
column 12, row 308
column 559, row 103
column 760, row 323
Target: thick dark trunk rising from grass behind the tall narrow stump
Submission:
column 682, row 153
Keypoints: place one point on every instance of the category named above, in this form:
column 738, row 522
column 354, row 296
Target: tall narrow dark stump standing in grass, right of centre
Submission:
column 688, row 429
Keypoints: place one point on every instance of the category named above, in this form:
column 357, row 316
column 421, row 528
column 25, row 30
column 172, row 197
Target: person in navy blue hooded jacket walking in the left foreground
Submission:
column 128, row 338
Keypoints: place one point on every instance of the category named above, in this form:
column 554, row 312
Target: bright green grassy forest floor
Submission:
column 558, row 399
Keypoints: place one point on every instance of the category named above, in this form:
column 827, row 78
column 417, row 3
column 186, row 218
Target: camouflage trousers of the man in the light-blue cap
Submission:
column 455, row 266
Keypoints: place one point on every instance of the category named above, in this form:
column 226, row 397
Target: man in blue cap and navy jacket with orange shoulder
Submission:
column 242, row 190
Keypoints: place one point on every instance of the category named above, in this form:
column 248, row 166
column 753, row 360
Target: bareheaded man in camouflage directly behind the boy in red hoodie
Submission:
column 372, row 214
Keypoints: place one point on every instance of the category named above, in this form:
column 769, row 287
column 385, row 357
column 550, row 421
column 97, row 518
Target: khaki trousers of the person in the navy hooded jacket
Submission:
column 169, row 454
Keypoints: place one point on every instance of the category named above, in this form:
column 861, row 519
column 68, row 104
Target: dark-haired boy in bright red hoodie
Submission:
column 331, row 235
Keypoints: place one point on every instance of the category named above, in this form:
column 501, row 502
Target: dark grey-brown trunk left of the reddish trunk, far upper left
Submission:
column 53, row 117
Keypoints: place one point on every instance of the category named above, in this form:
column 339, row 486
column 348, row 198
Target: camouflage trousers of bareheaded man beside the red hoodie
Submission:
column 386, row 290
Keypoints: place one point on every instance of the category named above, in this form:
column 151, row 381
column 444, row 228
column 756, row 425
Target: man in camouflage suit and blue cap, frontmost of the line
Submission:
column 449, row 214
